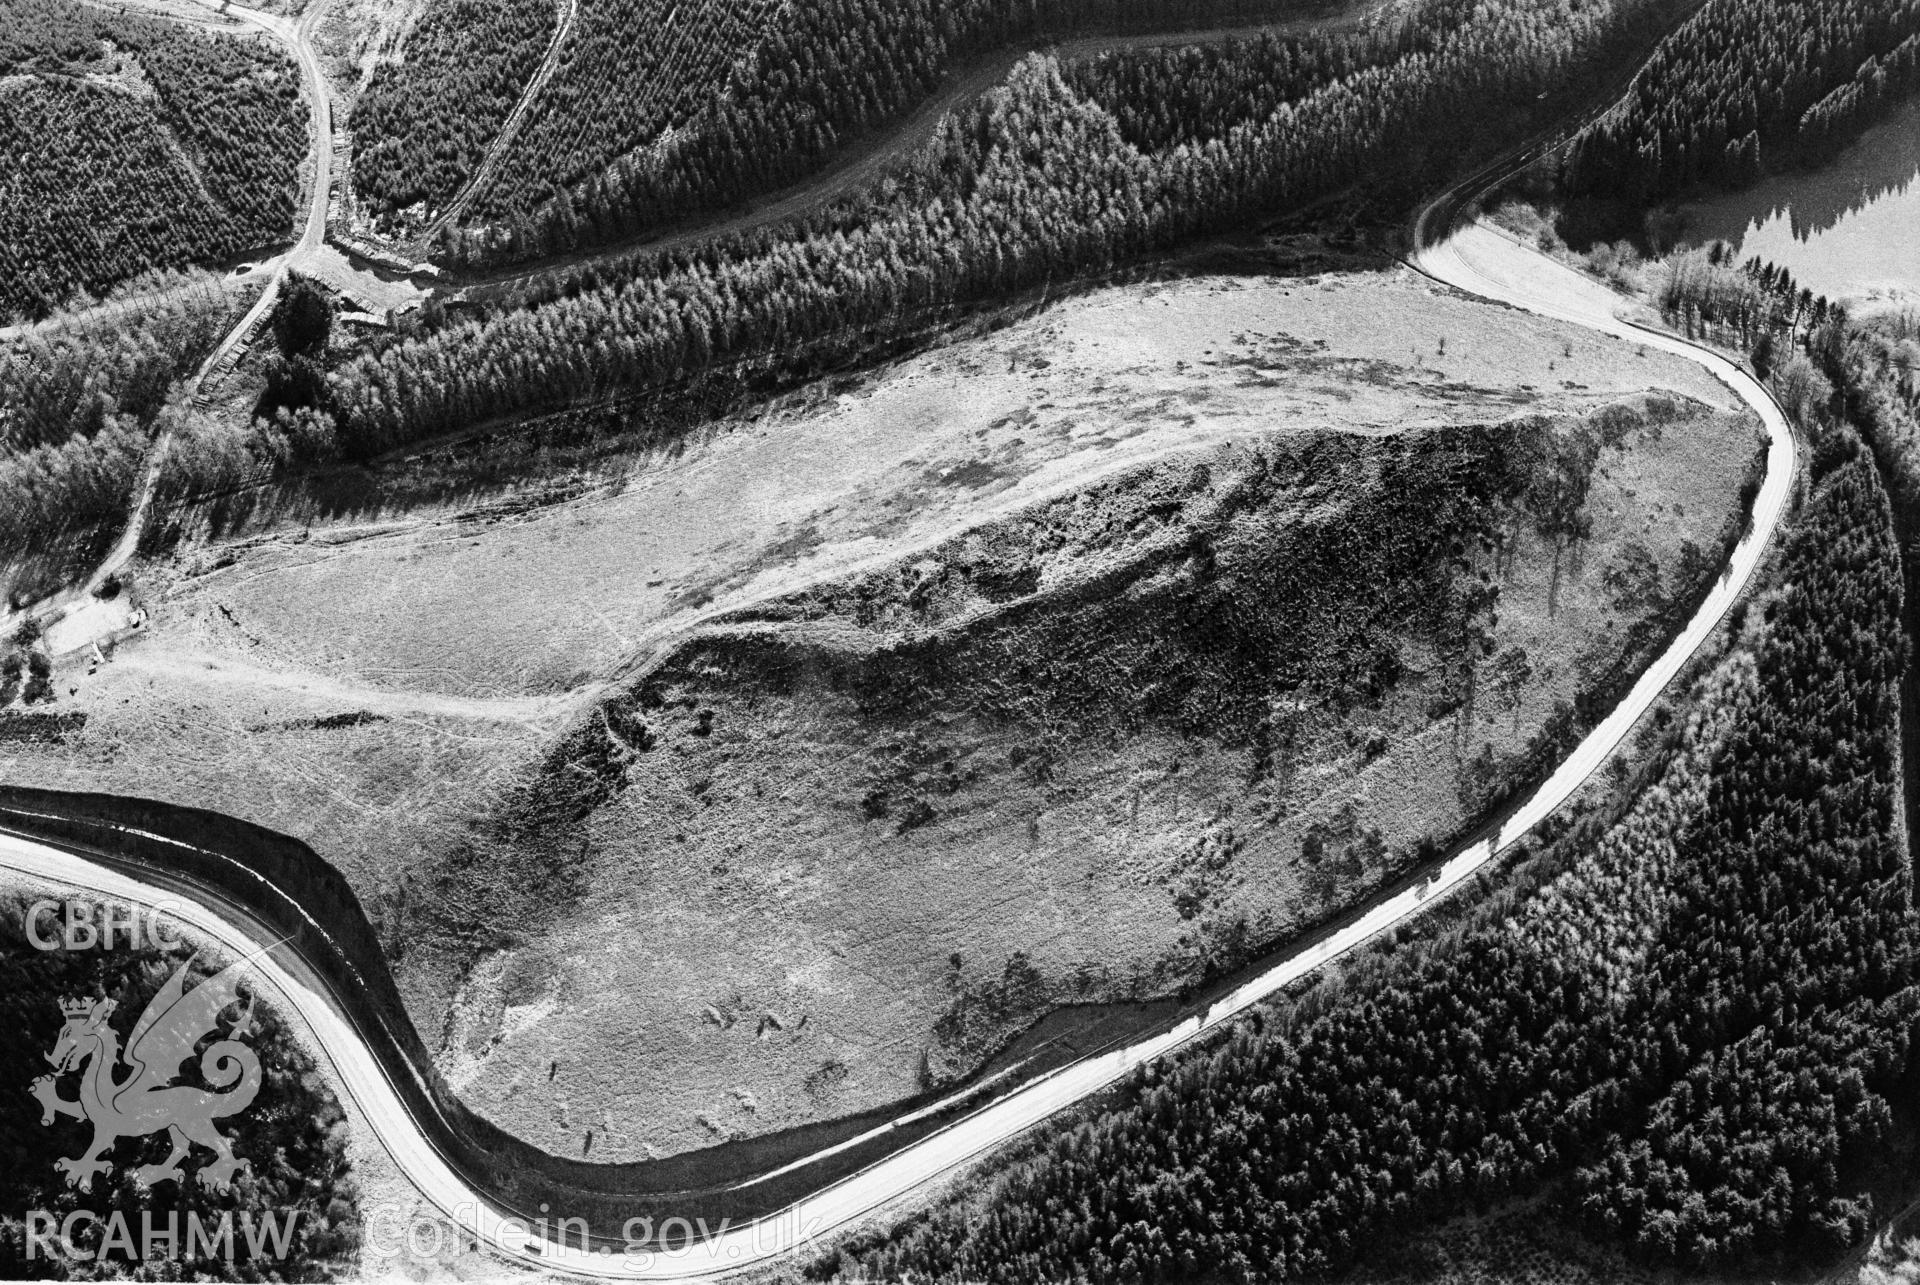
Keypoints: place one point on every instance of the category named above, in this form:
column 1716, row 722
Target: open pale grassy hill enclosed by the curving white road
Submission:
column 732, row 923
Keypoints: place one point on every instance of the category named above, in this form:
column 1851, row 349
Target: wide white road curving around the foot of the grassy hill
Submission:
column 1477, row 260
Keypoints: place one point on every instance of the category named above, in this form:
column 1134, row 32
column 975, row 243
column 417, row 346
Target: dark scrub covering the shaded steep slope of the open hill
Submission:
column 955, row 689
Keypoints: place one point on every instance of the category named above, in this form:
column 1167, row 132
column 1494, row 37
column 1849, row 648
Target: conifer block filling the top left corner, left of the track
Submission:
column 191, row 157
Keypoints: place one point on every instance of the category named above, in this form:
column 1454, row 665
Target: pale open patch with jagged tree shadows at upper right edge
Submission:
column 1850, row 230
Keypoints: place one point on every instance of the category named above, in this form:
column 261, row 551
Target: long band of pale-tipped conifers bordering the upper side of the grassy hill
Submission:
column 978, row 214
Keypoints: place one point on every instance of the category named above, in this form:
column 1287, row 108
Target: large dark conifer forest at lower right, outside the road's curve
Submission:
column 1689, row 1036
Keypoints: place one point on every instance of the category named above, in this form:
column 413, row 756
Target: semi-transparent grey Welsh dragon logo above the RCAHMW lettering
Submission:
column 147, row 1100
